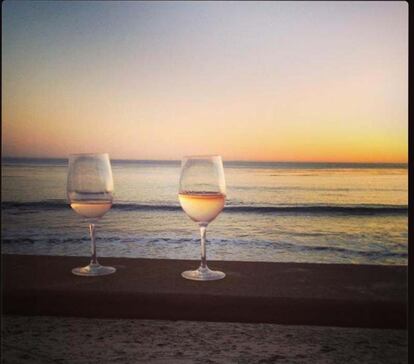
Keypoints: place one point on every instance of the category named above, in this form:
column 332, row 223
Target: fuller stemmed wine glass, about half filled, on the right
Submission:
column 202, row 193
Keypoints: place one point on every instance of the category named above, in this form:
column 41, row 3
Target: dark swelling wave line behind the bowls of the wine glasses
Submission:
column 35, row 206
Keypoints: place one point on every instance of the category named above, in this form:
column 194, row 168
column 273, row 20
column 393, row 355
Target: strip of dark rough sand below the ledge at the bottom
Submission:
column 46, row 339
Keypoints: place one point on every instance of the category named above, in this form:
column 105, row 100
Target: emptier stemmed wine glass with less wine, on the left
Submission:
column 89, row 191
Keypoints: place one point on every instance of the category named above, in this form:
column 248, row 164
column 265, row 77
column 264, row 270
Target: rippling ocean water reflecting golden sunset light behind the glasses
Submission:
column 276, row 212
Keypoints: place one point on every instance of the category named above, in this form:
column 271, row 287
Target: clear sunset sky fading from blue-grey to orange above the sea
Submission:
column 269, row 81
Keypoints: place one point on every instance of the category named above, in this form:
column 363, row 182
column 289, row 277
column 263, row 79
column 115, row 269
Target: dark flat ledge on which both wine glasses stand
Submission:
column 284, row 293
